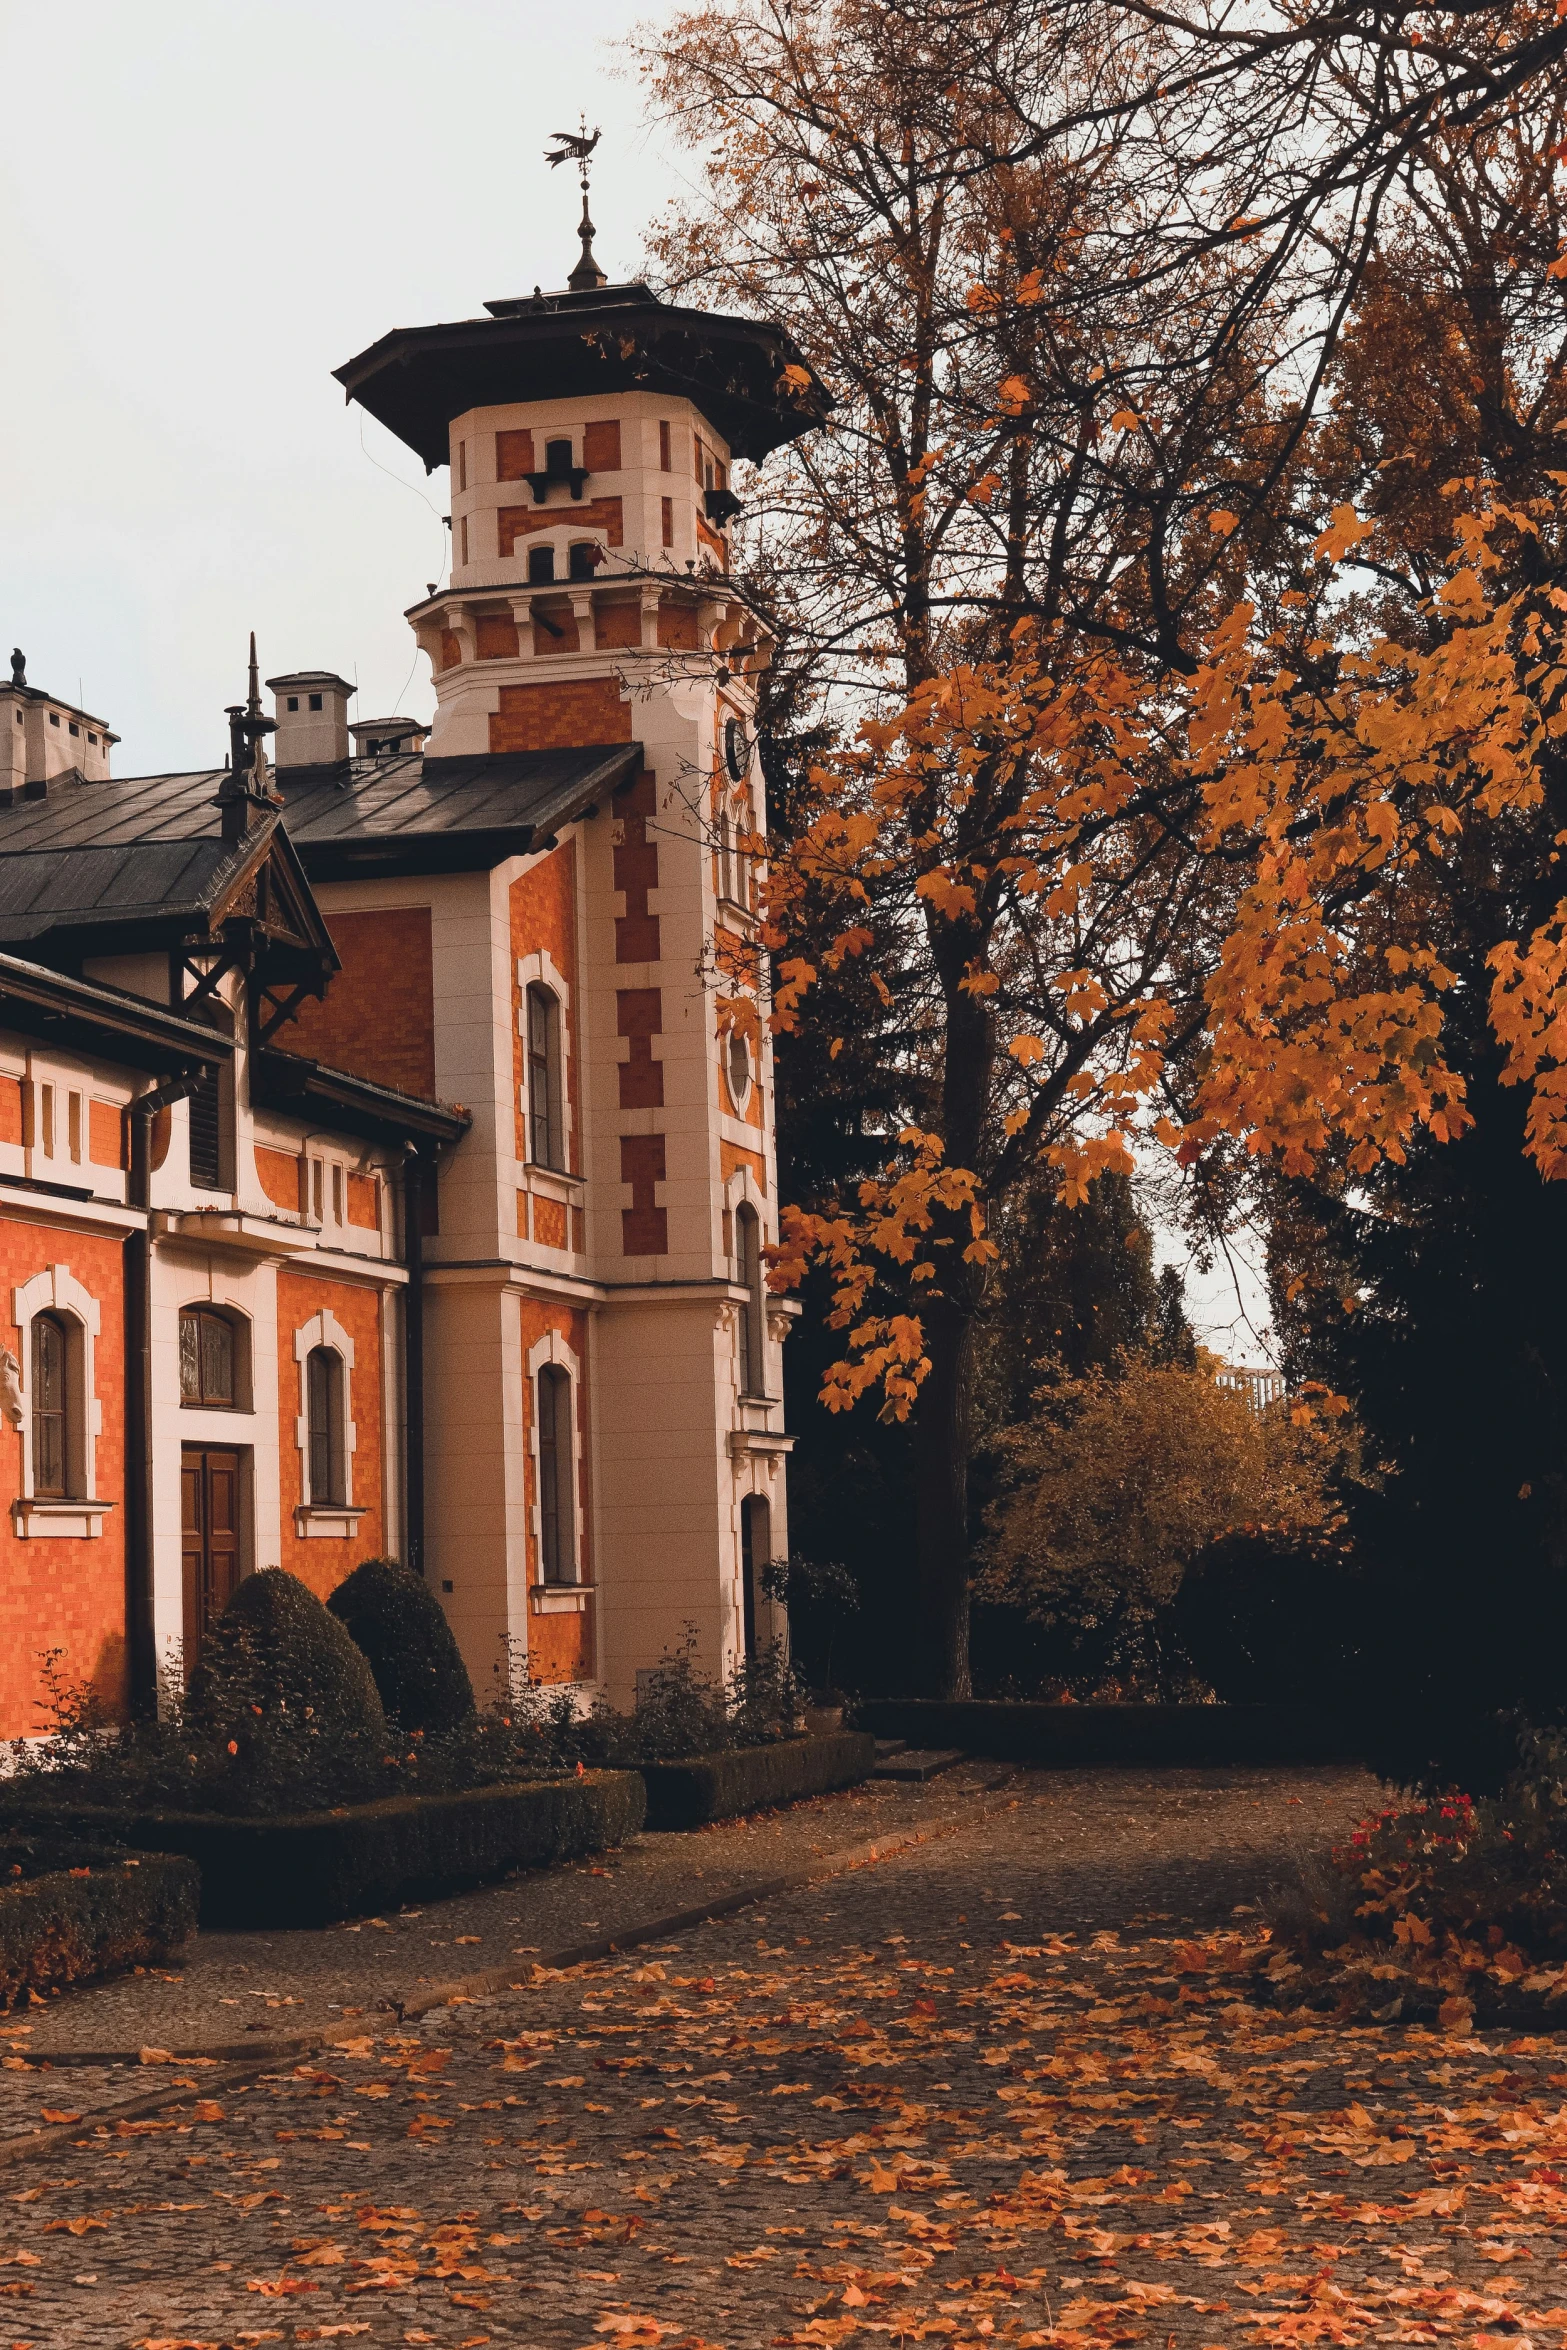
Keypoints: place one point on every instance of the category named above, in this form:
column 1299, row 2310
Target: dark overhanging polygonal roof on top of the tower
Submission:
column 746, row 377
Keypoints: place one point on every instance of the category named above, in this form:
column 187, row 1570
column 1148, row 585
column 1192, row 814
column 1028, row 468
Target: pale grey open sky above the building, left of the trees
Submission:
column 208, row 208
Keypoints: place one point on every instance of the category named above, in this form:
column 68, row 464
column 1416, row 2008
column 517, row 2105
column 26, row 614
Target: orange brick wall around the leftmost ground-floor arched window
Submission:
column 65, row 1594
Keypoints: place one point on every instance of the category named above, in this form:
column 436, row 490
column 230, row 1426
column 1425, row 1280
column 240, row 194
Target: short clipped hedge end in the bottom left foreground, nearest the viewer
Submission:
column 69, row 1912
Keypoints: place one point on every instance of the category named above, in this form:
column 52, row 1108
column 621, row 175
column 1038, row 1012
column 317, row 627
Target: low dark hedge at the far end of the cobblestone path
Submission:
column 1075, row 1738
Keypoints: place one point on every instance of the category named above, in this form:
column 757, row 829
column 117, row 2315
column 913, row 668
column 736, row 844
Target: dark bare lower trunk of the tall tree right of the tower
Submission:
column 939, row 1637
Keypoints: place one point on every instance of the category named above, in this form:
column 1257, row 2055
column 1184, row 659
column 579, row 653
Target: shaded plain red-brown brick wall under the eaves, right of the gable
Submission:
column 379, row 1012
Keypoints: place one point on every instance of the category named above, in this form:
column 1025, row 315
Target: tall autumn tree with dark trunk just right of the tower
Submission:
column 1077, row 286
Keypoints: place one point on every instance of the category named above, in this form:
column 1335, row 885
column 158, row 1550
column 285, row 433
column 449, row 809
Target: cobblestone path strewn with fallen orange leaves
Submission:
column 981, row 2093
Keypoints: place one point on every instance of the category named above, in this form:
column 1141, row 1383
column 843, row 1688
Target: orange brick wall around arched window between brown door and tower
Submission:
column 318, row 1559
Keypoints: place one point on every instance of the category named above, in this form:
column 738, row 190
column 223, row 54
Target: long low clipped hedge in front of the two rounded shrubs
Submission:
column 363, row 1858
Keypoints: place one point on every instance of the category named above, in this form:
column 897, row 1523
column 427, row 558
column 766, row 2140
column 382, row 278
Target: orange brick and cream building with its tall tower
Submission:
column 386, row 1153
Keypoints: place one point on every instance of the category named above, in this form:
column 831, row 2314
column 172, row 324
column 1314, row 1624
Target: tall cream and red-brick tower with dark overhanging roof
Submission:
column 603, row 1009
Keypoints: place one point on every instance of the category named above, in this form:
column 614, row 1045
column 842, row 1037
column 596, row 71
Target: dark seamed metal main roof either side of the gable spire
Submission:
column 156, row 840
